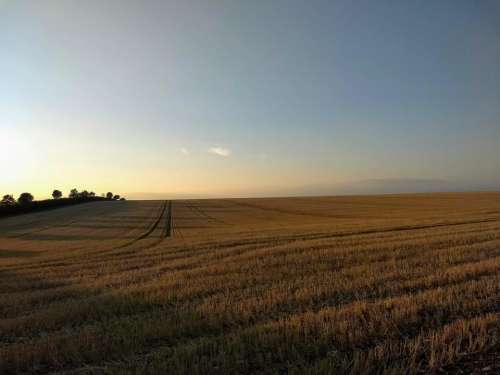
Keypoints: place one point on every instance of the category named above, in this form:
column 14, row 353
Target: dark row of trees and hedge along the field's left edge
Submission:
column 26, row 202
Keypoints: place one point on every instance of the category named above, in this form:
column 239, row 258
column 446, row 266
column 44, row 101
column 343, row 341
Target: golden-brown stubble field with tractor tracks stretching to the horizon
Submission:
column 394, row 284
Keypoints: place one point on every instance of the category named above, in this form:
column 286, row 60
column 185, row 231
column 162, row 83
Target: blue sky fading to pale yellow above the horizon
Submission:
column 165, row 99
